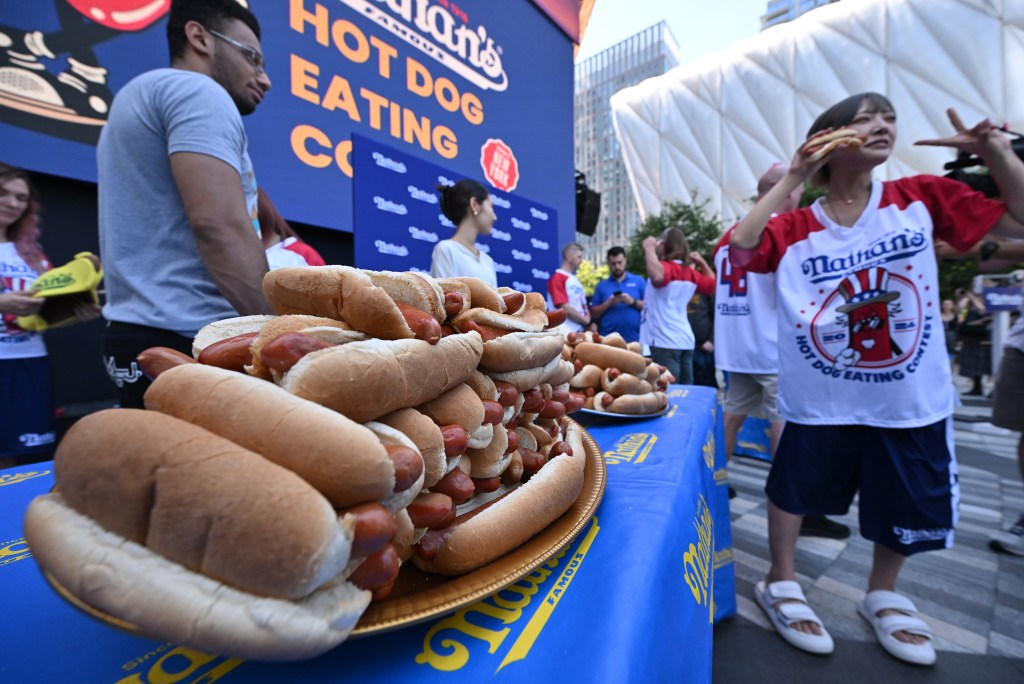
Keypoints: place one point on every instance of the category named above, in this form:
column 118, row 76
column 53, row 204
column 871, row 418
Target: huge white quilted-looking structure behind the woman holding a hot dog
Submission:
column 712, row 127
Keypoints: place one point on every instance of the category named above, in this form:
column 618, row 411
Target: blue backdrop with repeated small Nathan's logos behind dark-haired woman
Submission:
column 399, row 221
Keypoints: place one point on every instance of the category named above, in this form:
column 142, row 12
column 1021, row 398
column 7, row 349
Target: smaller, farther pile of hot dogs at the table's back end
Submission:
column 615, row 377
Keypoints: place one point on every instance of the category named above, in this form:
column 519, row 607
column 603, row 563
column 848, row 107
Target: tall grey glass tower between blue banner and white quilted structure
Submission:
column 651, row 53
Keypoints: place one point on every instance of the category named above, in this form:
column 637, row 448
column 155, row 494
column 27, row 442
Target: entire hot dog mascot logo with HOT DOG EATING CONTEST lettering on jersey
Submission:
column 874, row 320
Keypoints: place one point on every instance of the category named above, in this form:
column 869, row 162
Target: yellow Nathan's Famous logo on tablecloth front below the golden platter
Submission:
column 489, row 621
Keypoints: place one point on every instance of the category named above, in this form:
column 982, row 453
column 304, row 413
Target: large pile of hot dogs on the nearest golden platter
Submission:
column 279, row 478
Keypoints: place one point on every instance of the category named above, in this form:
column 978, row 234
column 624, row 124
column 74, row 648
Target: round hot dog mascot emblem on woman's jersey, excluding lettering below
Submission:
column 872, row 320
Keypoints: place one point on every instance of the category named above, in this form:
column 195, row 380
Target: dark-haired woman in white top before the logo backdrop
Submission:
column 468, row 205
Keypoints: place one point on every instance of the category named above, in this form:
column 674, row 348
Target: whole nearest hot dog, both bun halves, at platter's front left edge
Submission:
column 177, row 564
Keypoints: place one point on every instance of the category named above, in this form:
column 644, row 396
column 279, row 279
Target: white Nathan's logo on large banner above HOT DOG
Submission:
column 432, row 29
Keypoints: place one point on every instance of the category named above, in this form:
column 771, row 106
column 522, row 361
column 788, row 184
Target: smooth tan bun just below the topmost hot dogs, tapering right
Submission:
column 367, row 380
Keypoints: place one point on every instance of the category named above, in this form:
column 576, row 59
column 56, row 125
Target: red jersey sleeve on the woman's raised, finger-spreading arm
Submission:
column 962, row 217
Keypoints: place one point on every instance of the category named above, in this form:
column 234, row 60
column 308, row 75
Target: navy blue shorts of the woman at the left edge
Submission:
column 27, row 419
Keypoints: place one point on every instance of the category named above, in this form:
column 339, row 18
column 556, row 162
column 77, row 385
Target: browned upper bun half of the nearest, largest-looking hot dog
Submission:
column 202, row 502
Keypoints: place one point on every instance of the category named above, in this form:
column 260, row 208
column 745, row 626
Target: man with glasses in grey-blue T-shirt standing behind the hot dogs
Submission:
column 178, row 193
